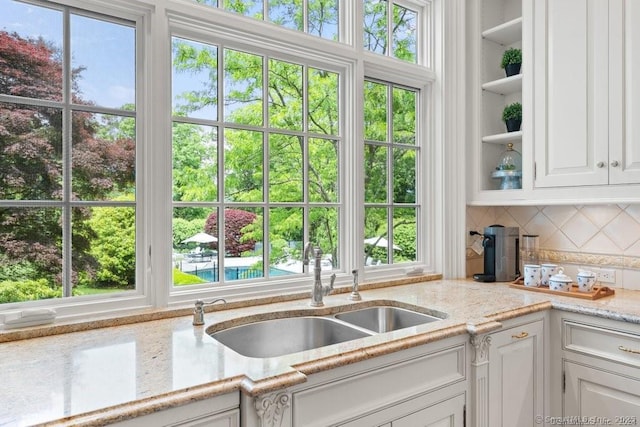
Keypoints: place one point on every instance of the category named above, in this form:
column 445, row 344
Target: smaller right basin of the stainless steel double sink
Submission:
column 385, row 319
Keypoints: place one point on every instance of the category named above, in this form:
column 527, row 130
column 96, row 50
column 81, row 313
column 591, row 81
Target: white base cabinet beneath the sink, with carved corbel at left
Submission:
column 413, row 387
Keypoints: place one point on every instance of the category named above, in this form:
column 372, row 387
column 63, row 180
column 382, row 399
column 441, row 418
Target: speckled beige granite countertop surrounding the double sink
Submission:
column 102, row 375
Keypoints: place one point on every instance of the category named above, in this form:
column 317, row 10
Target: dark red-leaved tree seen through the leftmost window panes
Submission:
column 31, row 162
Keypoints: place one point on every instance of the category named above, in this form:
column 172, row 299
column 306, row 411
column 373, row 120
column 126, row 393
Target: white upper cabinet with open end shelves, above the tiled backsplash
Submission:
column 580, row 92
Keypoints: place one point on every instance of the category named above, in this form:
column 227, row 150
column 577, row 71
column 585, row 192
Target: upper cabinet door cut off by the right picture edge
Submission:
column 624, row 113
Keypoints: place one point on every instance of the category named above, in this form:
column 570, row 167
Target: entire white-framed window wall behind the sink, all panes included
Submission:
column 156, row 152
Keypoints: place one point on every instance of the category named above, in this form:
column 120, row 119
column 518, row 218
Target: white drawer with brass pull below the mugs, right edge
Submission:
column 610, row 344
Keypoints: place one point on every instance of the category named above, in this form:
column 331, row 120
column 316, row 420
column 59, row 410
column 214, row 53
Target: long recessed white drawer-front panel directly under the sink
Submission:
column 379, row 388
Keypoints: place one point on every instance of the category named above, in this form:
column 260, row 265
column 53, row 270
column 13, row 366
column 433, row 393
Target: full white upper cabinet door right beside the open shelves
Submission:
column 571, row 106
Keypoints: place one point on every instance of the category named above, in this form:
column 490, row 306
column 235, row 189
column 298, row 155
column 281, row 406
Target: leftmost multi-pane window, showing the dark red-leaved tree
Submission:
column 68, row 121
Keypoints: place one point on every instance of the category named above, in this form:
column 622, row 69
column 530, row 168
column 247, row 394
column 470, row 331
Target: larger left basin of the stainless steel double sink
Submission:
column 277, row 337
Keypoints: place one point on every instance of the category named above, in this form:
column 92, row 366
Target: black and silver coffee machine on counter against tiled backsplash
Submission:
column 501, row 254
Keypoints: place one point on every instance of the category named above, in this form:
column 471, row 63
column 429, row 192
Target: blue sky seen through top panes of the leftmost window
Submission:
column 105, row 49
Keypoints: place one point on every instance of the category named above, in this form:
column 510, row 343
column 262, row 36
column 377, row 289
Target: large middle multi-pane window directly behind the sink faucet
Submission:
column 256, row 148
